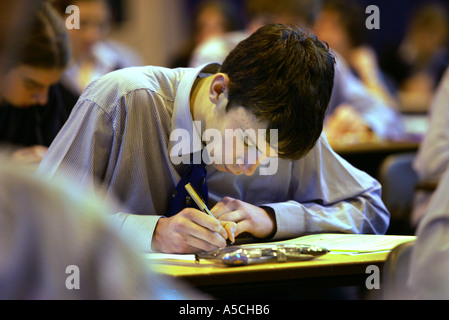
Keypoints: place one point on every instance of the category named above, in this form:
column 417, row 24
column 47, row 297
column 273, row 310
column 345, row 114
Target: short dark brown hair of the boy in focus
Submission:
column 284, row 75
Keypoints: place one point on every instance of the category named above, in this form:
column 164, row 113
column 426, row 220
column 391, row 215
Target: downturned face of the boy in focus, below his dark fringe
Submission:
column 236, row 140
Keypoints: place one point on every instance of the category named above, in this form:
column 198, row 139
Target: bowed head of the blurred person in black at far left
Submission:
column 37, row 61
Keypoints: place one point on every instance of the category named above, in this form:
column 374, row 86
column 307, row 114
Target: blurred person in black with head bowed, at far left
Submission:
column 34, row 105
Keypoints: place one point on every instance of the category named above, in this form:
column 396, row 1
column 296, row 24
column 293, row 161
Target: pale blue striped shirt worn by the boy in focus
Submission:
column 118, row 135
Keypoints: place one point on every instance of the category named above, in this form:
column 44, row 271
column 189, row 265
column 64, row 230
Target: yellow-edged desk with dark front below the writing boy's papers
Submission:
column 299, row 279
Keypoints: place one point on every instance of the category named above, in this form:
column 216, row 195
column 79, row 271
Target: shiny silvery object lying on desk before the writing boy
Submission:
column 249, row 255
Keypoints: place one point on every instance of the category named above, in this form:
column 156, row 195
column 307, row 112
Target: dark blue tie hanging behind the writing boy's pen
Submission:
column 196, row 175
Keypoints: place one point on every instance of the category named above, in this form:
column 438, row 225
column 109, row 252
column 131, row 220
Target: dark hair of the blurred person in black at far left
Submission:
column 46, row 44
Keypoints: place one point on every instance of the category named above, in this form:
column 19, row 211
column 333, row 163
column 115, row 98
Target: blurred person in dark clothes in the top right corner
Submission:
column 418, row 62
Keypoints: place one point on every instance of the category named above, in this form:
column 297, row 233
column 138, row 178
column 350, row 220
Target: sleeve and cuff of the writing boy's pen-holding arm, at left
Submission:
column 90, row 142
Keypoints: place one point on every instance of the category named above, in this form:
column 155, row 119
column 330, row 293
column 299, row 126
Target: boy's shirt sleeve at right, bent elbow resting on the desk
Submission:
column 330, row 195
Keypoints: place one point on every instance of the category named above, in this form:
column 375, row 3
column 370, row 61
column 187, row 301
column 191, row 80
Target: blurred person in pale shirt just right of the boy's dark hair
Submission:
column 361, row 109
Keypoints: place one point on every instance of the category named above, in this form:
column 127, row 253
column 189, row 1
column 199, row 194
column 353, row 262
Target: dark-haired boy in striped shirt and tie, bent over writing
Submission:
column 124, row 134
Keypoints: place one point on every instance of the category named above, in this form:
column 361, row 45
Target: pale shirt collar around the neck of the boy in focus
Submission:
column 188, row 135
